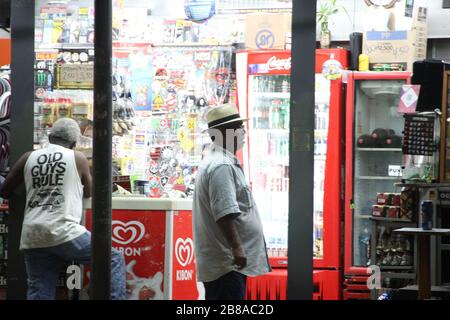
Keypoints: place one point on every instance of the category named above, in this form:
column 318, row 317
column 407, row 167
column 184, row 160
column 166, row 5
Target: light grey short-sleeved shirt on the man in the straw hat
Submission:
column 221, row 189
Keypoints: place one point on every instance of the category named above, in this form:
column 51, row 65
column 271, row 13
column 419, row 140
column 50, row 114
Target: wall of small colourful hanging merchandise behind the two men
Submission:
column 167, row 71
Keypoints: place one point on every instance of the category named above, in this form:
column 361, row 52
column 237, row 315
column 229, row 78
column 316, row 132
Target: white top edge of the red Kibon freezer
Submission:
column 141, row 203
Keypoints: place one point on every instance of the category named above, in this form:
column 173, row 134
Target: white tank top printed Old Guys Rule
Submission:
column 53, row 210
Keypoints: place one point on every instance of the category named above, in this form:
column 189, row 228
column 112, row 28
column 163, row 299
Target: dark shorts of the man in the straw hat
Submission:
column 230, row 286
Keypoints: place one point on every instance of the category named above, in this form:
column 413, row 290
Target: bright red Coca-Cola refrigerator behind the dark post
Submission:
column 263, row 80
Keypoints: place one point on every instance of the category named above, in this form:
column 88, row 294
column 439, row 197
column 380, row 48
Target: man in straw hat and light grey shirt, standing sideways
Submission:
column 229, row 243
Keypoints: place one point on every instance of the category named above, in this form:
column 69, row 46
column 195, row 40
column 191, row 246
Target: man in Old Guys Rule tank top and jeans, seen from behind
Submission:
column 56, row 180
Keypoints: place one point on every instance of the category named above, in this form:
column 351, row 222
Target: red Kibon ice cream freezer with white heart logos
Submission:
column 155, row 236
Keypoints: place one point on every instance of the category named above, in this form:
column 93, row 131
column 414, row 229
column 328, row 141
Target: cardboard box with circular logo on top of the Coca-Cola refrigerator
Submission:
column 268, row 30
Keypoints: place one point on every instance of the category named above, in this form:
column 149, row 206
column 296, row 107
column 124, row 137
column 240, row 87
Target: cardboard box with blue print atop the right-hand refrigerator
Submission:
column 400, row 46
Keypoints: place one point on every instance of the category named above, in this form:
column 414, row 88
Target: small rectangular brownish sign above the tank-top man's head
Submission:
column 75, row 76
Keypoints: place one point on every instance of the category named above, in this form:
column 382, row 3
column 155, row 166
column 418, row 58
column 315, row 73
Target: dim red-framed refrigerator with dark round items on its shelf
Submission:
column 372, row 165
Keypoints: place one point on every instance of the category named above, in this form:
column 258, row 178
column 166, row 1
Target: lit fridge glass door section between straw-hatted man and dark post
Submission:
column 268, row 144
